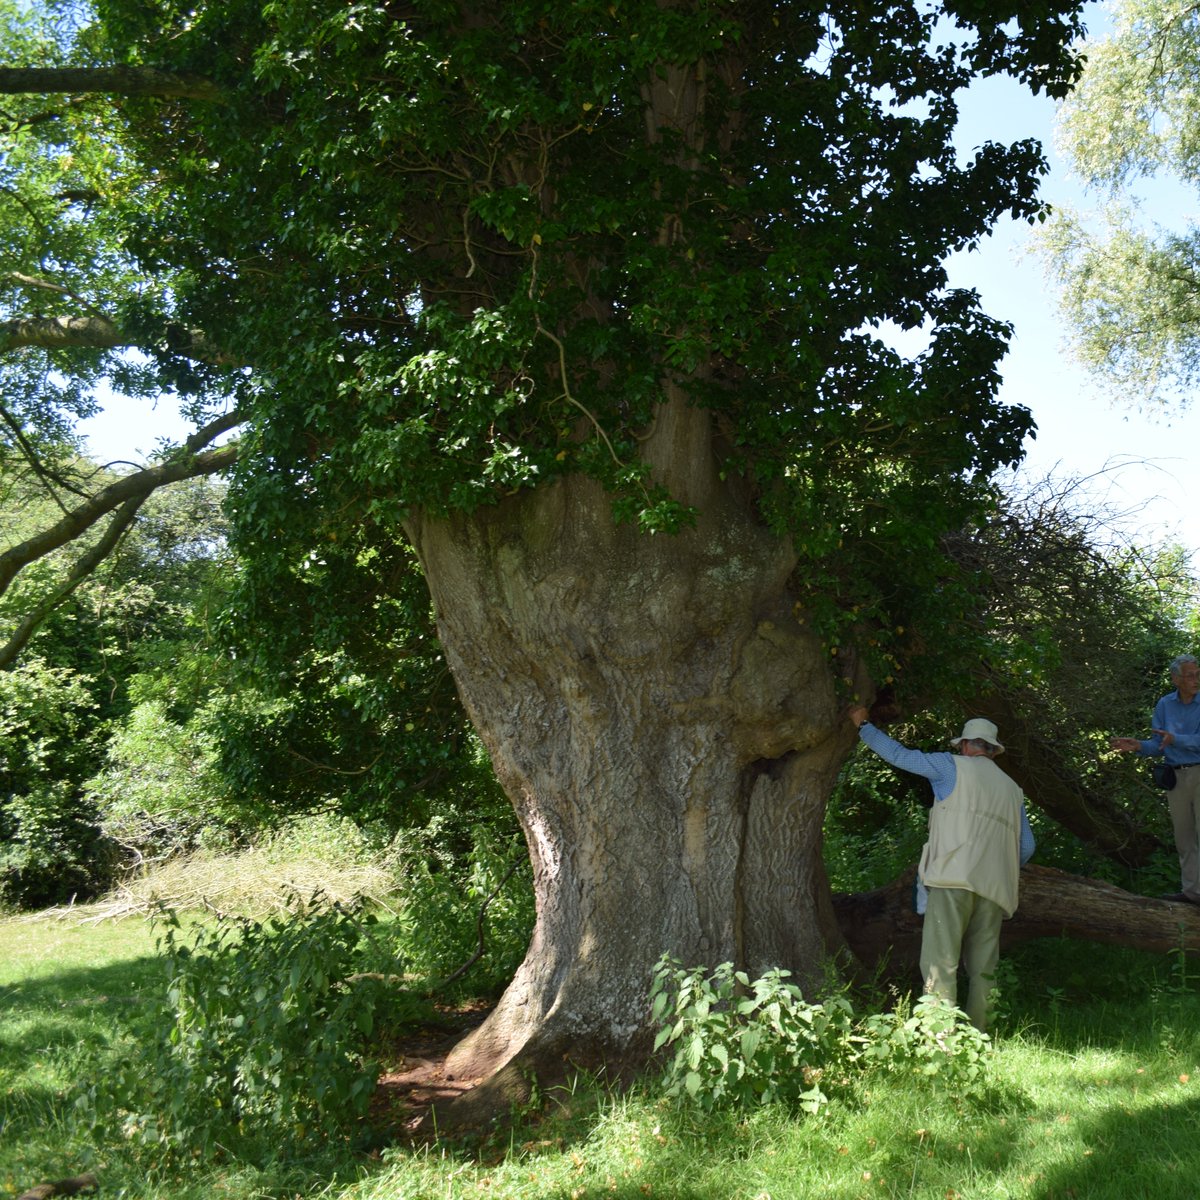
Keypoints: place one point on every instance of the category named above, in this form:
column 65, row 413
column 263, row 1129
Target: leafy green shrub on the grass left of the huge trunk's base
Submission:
column 265, row 1048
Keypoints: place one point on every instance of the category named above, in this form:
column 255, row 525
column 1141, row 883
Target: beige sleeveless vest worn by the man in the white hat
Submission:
column 975, row 835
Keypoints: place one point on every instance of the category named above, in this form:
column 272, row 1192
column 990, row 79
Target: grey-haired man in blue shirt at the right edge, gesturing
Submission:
column 1175, row 730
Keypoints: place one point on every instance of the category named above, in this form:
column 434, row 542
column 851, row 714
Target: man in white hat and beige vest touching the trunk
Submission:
column 980, row 838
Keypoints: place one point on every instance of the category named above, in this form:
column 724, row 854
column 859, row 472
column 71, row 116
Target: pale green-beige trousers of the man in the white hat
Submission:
column 961, row 925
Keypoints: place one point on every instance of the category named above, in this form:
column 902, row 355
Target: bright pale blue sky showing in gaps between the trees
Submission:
column 1139, row 465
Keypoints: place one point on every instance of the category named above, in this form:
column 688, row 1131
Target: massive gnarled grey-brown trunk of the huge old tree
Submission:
column 668, row 733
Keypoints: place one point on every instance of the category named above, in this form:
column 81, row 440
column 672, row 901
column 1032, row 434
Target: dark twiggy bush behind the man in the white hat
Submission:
column 1076, row 631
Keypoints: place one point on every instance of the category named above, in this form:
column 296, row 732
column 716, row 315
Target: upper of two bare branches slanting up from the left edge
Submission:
column 135, row 487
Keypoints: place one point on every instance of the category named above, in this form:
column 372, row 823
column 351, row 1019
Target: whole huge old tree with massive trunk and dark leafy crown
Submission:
column 584, row 305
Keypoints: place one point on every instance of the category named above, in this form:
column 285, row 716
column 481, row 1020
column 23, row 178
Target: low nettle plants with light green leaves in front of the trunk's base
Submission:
column 736, row 1042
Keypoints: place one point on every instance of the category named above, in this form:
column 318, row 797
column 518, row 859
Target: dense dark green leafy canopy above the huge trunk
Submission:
column 460, row 265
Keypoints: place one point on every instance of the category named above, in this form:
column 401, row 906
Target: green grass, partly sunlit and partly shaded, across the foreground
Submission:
column 1094, row 1094
